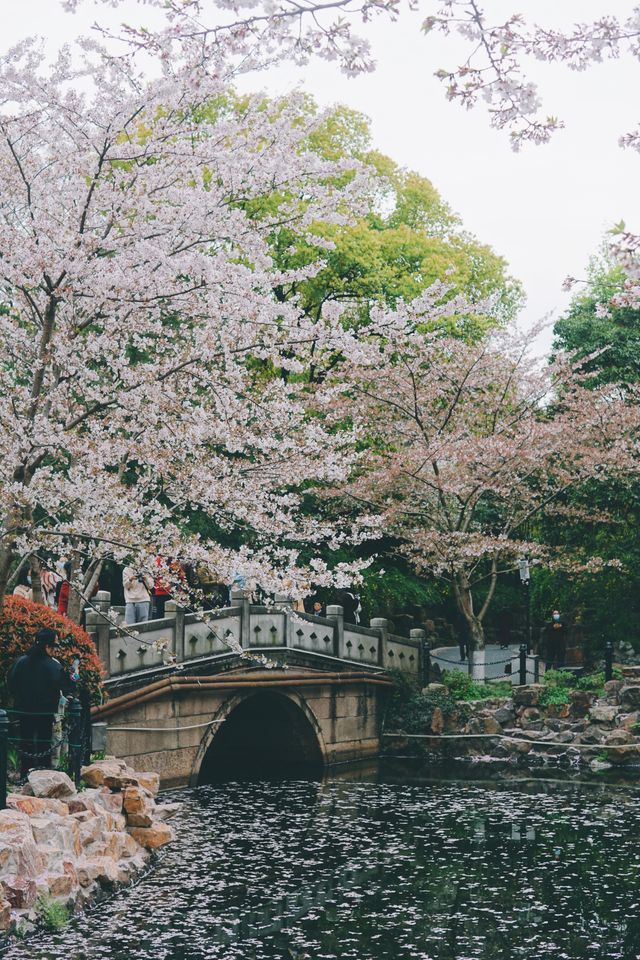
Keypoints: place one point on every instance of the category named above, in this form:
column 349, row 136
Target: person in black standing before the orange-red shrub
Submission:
column 36, row 681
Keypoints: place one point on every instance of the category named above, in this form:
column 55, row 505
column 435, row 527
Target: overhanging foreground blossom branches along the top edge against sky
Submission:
column 226, row 36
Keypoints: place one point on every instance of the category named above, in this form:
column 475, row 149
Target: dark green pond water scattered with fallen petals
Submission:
column 369, row 869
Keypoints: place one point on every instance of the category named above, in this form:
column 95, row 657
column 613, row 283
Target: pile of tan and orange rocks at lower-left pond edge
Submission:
column 58, row 844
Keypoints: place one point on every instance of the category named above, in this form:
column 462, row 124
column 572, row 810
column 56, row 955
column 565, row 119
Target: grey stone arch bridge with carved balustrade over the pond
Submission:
column 248, row 690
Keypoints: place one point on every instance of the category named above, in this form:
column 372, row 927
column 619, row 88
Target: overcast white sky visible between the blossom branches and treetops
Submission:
column 545, row 209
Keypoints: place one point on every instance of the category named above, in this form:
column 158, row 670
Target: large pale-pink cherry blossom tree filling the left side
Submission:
column 137, row 291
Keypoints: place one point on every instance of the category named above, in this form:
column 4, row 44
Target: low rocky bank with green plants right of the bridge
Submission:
column 589, row 730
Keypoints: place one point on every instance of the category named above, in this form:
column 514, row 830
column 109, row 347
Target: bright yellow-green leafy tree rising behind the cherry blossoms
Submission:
column 408, row 239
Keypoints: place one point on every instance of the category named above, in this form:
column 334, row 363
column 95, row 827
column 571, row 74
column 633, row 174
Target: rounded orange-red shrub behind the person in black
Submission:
column 21, row 619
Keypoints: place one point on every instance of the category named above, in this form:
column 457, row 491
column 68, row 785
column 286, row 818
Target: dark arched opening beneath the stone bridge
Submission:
column 266, row 736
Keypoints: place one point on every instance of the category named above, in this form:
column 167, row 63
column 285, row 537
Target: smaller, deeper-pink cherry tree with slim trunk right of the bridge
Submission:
column 470, row 443
